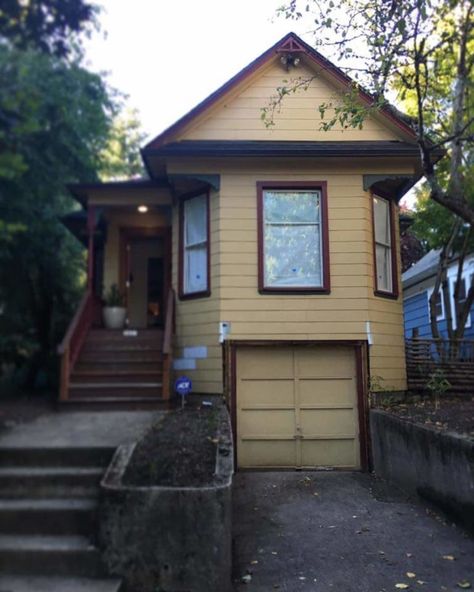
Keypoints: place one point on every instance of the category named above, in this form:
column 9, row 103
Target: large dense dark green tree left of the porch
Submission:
column 56, row 119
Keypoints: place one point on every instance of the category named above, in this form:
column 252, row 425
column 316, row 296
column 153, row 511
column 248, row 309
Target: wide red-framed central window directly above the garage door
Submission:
column 293, row 238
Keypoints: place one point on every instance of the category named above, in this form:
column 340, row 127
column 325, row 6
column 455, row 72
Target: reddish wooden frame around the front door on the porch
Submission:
column 129, row 233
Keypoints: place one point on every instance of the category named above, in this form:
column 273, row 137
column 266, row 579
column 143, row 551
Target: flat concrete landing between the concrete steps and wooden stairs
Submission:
column 89, row 429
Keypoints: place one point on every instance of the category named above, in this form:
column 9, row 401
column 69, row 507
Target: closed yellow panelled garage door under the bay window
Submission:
column 297, row 407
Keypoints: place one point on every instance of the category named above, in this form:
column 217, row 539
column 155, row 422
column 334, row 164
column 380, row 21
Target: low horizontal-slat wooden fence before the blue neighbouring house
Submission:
column 455, row 358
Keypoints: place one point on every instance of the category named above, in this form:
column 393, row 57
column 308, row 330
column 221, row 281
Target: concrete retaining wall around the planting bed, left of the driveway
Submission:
column 169, row 539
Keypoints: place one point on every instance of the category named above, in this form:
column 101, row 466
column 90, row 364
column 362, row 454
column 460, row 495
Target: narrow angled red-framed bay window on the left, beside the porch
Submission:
column 194, row 249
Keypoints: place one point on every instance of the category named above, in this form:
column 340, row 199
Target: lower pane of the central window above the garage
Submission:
column 292, row 256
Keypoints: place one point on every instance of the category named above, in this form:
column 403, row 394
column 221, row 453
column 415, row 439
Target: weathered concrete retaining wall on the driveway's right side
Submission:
column 436, row 465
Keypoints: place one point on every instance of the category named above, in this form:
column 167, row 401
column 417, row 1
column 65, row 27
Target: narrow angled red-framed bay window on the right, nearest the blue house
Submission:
column 385, row 263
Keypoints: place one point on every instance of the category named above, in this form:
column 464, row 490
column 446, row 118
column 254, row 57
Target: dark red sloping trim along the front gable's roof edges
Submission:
column 289, row 43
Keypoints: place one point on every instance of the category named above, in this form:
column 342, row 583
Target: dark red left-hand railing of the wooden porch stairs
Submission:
column 73, row 340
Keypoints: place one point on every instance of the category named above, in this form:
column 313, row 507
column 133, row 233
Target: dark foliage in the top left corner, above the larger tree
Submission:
column 50, row 26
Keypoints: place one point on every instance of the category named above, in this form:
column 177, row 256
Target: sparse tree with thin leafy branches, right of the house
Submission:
column 420, row 53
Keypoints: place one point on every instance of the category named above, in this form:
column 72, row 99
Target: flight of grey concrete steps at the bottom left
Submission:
column 48, row 519
